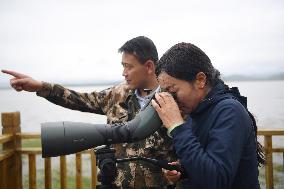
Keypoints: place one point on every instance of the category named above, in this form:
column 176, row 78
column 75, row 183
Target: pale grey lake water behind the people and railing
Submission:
column 265, row 101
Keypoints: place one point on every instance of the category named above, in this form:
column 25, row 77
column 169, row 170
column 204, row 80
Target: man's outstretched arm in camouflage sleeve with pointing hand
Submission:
column 57, row 94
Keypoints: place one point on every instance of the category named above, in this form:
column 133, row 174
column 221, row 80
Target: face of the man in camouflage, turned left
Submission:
column 135, row 74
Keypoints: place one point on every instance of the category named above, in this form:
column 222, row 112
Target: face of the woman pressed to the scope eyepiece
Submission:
column 188, row 94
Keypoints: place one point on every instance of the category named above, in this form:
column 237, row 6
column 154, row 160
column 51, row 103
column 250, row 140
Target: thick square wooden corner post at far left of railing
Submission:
column 13, row 168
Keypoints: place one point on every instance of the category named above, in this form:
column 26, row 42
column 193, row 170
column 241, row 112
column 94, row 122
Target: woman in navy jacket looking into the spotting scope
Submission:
column 217, row 143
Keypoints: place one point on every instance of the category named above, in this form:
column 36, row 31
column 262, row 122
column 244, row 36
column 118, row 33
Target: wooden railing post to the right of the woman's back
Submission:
column 269, row 163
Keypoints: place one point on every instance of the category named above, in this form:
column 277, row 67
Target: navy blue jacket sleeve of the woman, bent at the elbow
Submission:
column 215, row 164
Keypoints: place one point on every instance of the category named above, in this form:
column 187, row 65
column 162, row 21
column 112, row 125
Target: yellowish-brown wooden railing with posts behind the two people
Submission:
column 12, row 150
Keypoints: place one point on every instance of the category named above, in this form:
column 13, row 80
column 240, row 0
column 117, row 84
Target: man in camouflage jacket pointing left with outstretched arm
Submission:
column 119, row 103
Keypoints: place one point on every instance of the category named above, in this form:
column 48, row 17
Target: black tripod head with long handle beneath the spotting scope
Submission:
column 106, row 162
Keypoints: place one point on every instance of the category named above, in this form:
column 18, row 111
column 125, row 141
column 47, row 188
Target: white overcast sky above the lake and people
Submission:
column 78, row 40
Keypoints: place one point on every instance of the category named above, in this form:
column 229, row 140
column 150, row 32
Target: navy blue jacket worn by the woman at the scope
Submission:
column 217, row 145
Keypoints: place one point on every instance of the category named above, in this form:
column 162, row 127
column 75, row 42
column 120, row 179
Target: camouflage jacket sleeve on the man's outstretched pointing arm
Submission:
column 95, row 102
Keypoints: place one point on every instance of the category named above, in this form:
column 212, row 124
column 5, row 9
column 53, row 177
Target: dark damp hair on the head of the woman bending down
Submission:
column 184, row 61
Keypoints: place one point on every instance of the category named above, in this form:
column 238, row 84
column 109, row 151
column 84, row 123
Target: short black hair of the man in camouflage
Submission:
column 142, row 47
